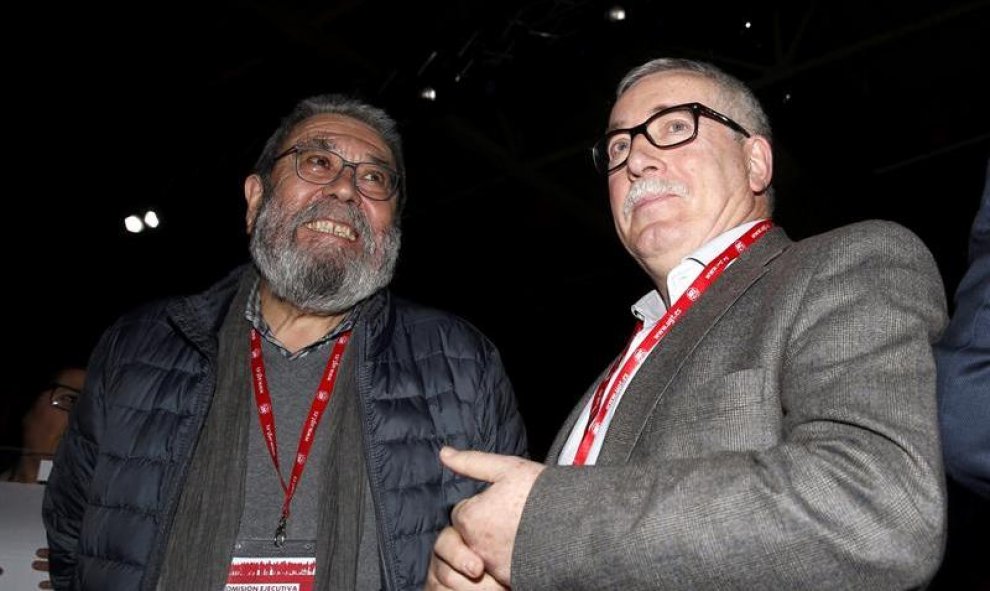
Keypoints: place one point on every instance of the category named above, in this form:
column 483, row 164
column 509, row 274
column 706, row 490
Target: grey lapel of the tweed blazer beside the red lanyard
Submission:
column 654, row 377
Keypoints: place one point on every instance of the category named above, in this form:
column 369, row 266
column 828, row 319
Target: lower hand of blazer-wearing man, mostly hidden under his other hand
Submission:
column 455, row 567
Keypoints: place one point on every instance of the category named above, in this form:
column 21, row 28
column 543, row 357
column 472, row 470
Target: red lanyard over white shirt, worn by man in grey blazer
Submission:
column 605, row 396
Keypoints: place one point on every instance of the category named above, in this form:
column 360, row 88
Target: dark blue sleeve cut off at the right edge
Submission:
column 963, row 357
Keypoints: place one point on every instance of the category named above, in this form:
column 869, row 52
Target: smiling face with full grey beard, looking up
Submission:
column 323, row 248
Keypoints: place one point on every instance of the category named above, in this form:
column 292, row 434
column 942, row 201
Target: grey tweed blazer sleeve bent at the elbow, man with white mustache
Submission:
column 849, row 495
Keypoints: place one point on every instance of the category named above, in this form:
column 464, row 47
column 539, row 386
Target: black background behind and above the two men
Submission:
column 879, row 110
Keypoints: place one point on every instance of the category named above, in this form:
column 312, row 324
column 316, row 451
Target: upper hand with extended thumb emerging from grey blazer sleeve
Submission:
column 488, row 521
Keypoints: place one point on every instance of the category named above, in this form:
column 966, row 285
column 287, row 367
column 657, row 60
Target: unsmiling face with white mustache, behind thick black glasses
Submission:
column 666, row 203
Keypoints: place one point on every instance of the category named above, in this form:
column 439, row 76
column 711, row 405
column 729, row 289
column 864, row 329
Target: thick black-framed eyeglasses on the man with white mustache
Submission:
column 665, row 129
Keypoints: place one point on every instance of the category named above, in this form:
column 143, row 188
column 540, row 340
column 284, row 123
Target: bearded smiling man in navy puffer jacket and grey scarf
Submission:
column 173, row 474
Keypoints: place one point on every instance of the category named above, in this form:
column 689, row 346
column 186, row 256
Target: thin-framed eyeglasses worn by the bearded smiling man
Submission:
column 322, row 167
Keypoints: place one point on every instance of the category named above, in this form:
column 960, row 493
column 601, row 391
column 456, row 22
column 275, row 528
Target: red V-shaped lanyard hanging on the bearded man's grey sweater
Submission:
column 266, row 417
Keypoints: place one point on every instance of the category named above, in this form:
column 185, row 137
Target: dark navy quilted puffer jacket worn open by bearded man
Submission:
column 425, row 378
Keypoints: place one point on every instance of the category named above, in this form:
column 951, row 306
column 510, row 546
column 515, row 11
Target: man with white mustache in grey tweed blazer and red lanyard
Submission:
column 771, row 423
